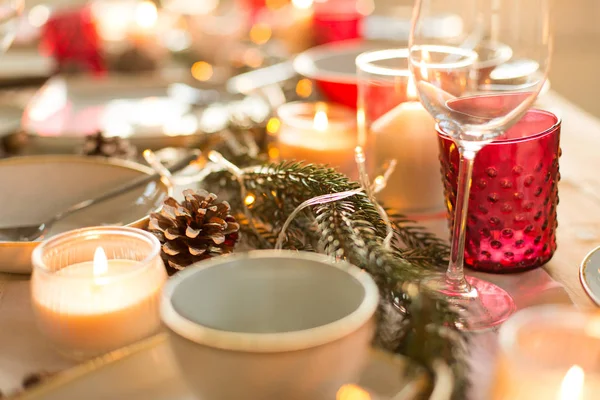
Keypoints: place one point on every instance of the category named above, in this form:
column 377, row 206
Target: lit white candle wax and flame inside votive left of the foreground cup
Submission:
column 92, row 307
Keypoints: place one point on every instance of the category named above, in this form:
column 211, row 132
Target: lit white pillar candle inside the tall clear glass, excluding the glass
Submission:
column 407, row 133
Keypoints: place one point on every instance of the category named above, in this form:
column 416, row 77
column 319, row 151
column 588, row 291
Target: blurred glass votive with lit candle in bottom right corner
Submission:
column 548, row 352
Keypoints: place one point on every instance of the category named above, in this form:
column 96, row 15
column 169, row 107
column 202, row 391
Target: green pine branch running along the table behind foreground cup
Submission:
column 414, row 323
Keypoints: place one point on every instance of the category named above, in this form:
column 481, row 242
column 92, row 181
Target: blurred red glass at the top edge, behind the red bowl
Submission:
column 337, row 20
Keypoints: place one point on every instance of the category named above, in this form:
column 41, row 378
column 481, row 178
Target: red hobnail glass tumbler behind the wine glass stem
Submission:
column 514, row 194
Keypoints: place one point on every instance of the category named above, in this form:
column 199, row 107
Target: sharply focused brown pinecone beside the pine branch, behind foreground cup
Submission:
column 197, row 229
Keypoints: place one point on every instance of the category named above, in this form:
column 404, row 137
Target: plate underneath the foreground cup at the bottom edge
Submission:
column 147, row 371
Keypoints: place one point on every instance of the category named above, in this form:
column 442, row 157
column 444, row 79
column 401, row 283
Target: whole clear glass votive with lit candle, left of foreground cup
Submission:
column 97, row 289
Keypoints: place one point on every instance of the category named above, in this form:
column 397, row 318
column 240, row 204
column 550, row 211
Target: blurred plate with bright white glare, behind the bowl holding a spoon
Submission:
column 147, row 110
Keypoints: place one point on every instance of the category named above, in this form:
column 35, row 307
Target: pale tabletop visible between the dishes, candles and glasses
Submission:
column 23, row 349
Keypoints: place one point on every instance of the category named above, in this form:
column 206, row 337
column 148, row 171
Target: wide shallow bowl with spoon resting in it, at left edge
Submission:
column 37, row 187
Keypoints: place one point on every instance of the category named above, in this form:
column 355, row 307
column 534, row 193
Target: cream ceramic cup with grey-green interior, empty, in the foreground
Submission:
column 270, row 325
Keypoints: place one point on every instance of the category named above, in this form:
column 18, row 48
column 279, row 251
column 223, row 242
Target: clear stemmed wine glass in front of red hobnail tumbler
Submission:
column 477, row 75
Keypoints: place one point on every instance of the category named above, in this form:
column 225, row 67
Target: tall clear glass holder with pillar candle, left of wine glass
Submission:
column 392, row 124
